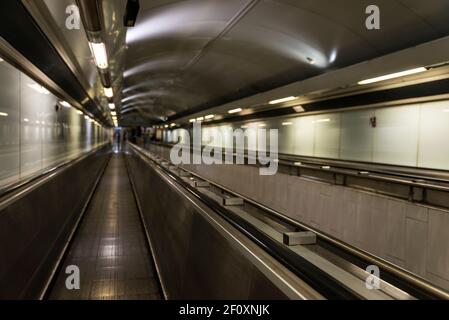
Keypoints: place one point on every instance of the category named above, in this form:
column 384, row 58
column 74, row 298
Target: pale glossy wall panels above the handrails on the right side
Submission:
column 410, row 135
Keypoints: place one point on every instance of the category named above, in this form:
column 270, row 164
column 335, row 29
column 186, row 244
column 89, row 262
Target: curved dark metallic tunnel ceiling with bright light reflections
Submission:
column 190, row 55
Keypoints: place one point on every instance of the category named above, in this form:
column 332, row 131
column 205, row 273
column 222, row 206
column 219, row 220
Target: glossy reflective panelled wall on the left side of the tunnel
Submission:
column 34, row 135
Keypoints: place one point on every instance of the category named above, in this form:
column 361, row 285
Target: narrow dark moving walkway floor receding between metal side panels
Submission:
column 110, row 247
